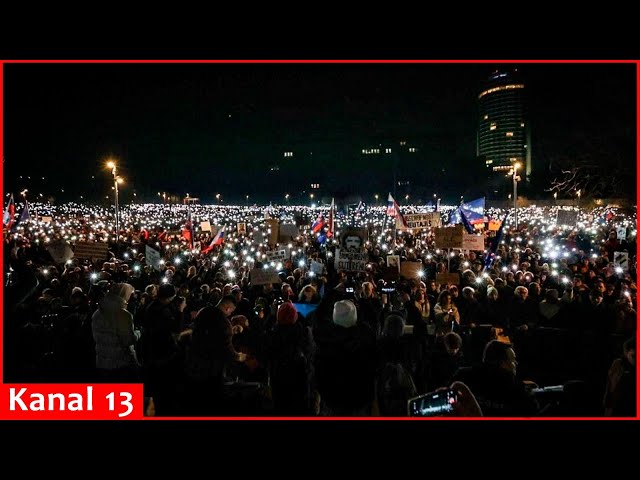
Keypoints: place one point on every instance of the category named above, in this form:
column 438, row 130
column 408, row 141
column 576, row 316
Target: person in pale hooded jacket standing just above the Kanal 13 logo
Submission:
column 114, row 335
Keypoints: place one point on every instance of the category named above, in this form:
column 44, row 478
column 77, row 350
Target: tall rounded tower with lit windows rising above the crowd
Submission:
column 504, row 135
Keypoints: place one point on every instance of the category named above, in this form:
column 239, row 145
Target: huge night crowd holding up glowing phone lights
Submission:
column 552, row 305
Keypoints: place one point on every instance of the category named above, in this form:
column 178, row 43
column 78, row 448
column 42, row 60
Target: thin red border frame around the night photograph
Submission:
column 3, row 414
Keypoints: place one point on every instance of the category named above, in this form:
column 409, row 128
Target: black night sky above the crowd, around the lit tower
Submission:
column 208, row 128
